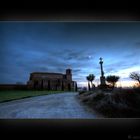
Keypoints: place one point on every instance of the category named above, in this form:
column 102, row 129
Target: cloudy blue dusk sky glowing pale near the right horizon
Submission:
column 27, row 47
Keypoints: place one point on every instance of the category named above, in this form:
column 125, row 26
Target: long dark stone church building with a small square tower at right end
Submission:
column 52, row 81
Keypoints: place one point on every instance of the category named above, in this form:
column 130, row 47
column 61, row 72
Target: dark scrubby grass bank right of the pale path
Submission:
column 120, row 103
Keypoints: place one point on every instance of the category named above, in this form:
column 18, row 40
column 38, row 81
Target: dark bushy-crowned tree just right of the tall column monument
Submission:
column 112, row 79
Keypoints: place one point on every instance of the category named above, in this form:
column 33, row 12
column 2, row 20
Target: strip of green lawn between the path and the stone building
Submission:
column 9, row 95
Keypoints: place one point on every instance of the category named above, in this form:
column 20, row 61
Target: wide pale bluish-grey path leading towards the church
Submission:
column 55, row 106
